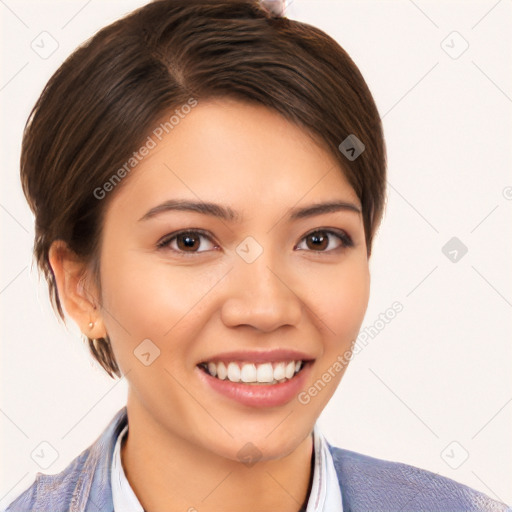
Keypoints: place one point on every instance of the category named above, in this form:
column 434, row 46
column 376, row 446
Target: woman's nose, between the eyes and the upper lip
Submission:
column 260, row 297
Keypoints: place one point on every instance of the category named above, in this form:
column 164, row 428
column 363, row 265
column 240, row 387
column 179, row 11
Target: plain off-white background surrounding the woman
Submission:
column 433, row 387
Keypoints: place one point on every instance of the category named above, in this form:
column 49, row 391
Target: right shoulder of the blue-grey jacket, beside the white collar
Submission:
column 368, row 483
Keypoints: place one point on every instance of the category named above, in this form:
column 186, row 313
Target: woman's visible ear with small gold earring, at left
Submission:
column 76, row 289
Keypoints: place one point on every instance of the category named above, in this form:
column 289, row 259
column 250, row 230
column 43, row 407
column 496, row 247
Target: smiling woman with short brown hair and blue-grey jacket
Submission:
column 207, row 178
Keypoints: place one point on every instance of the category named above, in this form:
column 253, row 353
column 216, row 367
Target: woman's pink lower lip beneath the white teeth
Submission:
column 255, row 395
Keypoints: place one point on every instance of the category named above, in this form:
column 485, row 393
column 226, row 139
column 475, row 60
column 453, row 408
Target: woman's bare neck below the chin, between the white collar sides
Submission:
column 167, row 472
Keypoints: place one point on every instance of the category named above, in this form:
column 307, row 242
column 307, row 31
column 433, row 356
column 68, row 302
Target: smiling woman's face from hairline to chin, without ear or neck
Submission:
column 254, row 283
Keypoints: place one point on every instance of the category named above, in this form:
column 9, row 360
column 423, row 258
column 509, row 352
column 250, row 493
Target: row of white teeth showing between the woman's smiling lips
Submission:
column 269, row 373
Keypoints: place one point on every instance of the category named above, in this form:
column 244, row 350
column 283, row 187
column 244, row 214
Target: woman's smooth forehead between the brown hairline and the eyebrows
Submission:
column 240, row 154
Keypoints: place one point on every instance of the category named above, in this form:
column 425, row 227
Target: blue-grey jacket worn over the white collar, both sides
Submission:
column 367, row 484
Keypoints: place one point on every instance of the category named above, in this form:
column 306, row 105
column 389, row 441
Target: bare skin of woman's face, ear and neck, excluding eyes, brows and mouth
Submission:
column 184, row 437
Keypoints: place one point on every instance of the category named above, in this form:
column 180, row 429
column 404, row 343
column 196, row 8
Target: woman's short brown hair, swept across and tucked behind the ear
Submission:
column 103, row 100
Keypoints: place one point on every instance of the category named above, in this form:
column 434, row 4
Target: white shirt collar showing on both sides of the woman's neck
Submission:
column 325, row 493
